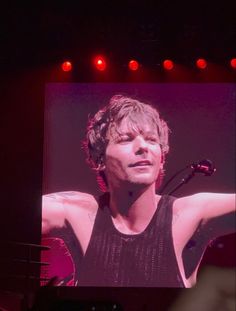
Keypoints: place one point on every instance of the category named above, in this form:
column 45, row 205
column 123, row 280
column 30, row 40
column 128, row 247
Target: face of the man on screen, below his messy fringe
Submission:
column 132, row 156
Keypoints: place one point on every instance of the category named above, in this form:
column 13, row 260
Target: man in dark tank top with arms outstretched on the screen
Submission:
column 131, row 236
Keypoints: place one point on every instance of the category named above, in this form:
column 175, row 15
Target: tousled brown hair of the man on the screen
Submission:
column 120, row 107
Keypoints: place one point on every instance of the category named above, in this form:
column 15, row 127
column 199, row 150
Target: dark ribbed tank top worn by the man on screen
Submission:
column 146, row 259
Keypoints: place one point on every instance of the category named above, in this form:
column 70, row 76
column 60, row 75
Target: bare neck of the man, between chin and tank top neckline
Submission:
column 133, row 209
